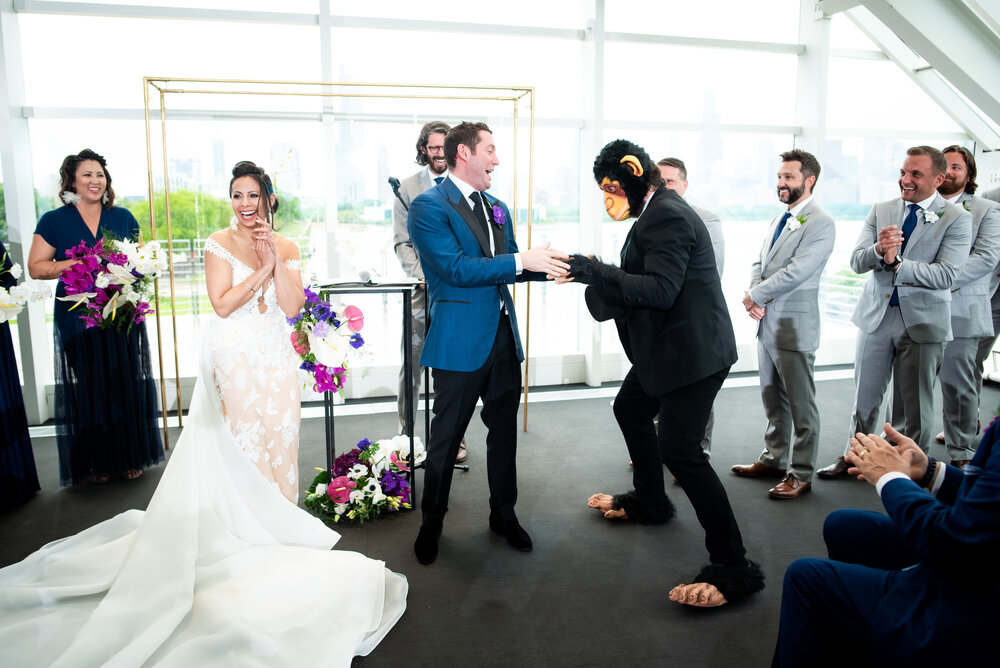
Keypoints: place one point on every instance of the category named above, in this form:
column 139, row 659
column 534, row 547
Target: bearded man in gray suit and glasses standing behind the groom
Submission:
column 430, row 155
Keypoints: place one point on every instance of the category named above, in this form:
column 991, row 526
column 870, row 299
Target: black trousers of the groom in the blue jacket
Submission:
column 498, row 383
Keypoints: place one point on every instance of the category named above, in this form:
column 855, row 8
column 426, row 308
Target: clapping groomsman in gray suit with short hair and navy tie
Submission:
column 914, row 246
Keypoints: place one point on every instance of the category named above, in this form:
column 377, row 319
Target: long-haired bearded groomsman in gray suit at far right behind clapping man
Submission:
column 971, row 314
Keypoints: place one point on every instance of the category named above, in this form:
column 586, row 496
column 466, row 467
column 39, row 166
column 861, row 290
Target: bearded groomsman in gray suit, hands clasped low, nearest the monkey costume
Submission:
column 784, row 299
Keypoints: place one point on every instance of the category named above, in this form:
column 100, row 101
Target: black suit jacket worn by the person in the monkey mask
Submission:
column 676, row 327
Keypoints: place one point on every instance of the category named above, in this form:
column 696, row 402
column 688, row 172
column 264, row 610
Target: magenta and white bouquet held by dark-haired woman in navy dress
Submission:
column 113, row 281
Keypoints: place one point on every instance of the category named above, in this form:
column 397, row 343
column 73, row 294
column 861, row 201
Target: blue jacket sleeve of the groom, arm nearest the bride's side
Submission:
column 430, row 225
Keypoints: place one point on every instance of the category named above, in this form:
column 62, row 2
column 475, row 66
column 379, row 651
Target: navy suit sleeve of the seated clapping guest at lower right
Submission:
column 966, row 532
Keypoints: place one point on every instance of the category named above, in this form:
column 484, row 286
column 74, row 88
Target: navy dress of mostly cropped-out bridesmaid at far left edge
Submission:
column 18, row 477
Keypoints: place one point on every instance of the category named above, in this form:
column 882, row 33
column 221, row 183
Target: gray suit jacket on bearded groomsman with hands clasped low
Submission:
column 785, row 279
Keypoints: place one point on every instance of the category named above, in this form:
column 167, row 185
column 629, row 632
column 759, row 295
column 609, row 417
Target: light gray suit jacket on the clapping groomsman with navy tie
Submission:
column 933, row 257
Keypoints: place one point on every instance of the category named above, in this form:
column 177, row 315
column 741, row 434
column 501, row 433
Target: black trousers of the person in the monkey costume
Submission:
column 683, row 414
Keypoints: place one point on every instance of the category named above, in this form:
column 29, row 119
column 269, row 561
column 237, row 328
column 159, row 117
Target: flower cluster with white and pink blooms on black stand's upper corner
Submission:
column 323, row 339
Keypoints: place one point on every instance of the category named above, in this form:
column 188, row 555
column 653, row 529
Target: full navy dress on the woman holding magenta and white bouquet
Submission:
column 105, row 393
